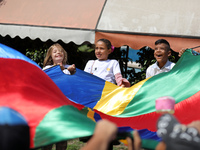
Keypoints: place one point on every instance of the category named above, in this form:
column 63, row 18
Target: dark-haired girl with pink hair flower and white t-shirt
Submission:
column 102, row 67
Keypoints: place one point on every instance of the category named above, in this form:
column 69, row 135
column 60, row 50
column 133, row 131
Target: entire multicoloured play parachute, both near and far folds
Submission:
column 28, row 90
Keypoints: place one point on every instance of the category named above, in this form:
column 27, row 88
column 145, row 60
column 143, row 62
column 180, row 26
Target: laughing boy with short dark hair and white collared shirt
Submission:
column 161, row 53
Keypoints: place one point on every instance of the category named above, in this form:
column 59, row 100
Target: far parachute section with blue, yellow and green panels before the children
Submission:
column 134, row 107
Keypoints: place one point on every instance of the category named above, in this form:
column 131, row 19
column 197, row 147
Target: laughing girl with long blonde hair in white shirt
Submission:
column 56, row 55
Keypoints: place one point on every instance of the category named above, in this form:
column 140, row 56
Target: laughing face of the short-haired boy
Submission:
column 161, row 53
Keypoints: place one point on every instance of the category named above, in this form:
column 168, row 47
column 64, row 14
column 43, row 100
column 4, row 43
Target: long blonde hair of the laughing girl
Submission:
column 48, row 59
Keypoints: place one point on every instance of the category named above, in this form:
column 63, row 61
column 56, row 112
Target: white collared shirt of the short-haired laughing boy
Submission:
column 154, row 69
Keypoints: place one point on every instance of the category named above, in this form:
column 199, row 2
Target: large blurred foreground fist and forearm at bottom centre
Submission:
column 104, row 133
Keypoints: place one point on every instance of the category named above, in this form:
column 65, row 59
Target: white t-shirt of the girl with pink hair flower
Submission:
column 105, row 69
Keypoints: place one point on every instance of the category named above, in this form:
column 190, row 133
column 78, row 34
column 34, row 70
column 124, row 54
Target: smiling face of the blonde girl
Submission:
column 57, row 56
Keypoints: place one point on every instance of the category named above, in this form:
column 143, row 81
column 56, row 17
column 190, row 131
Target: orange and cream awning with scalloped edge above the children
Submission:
column 124, row 22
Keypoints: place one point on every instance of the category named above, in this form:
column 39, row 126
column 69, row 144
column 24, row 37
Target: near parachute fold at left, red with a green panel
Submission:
column 52, row 117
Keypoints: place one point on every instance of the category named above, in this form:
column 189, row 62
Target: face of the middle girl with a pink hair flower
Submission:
column 102, row 51
